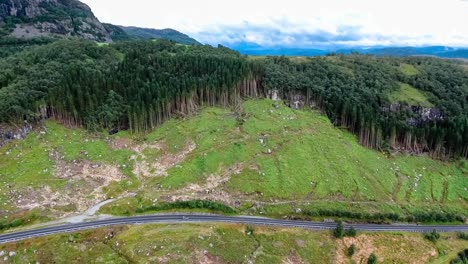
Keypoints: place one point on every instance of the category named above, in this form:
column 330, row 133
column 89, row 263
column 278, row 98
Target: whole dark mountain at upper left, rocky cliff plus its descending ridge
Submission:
column 30, row 19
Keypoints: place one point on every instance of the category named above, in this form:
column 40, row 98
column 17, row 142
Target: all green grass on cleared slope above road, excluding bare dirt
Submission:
column 289, row 159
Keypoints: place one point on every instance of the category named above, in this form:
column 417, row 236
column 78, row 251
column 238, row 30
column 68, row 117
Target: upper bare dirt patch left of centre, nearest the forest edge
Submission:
column 159, row 166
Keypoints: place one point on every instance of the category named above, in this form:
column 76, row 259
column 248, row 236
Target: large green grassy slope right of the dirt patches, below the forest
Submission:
column 310, row 160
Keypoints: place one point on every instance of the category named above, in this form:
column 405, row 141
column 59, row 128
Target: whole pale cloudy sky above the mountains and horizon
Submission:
column 299, row 23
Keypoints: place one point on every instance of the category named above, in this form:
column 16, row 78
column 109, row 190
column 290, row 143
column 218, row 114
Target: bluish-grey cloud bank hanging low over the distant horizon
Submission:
column 277, row 34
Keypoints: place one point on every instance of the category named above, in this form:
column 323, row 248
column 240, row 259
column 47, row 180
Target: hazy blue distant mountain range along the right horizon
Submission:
column 438, row 51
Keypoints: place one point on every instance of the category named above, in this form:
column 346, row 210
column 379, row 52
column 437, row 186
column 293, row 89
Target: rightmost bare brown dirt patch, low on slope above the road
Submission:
column 210, row 189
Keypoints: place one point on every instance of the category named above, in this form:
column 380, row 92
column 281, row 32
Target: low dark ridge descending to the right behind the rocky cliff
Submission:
column 150, row 33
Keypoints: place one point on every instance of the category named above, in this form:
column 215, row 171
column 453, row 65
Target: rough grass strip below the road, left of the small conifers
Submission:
column 176, row 244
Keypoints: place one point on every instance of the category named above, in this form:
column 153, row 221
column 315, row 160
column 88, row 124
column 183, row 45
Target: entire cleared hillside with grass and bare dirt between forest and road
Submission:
column 266, row 159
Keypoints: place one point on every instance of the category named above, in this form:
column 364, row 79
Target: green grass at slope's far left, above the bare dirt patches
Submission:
column 30, row 163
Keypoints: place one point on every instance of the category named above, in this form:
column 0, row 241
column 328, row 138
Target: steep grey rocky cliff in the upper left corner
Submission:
column 36, row 18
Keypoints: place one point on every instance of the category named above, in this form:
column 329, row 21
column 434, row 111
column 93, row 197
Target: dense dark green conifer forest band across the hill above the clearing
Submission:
column 137, row 85
